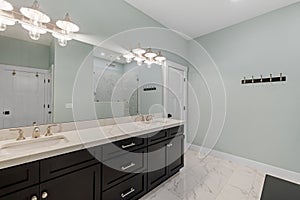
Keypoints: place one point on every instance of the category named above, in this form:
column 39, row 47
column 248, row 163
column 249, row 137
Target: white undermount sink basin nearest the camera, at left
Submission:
column 32, row 144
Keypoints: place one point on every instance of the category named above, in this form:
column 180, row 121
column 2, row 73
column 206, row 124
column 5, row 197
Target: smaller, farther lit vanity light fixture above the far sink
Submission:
column 141, row 56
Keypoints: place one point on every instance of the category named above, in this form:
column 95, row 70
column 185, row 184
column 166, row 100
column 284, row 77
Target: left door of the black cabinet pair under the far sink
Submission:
column 157, row 164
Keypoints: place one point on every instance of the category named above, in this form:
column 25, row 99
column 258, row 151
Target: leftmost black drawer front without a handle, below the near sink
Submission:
column 19, row 177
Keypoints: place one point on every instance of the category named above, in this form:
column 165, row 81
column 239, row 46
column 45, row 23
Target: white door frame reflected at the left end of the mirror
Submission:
column 48, row 87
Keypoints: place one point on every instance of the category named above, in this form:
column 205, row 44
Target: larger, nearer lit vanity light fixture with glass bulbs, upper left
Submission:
column 36, row 22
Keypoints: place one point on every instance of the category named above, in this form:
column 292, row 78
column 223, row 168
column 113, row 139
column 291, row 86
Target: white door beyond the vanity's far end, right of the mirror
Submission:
column 176, row 92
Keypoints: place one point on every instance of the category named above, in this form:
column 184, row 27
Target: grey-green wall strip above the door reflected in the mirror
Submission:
column 22, row 53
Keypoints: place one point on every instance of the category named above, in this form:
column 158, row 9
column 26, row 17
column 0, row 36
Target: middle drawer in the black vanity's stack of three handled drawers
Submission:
column 118, row 169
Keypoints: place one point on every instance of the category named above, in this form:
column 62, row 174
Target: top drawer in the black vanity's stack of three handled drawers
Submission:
column 117, row 148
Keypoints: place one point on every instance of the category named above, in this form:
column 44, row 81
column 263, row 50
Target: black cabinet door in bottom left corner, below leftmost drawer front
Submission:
column 28, row 194
